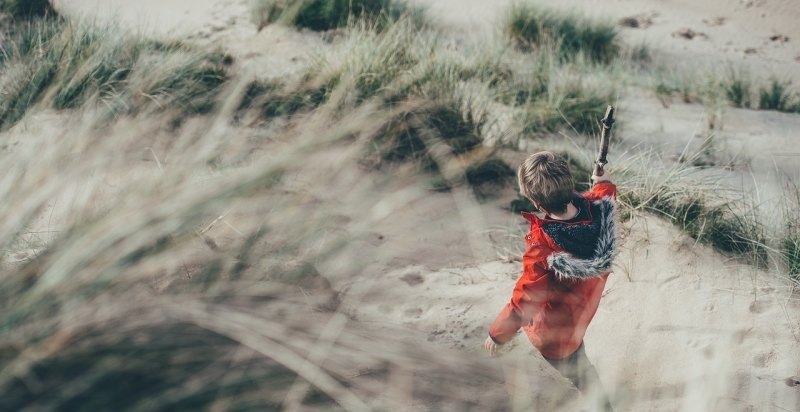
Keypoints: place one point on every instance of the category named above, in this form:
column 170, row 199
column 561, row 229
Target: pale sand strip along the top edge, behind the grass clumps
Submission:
column 762, row 34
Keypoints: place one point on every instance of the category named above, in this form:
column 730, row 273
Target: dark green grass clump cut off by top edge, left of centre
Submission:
column 322, row 15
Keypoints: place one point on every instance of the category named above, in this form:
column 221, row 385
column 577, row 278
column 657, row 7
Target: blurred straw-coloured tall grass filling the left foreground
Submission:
column 180, row 290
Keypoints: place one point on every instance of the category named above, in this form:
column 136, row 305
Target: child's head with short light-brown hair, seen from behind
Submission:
column 545, row 179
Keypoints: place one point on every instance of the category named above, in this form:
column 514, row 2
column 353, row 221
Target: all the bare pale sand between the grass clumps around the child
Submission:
column 680, row 327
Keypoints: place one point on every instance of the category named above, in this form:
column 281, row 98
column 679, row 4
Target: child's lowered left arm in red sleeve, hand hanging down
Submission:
column 530, row 293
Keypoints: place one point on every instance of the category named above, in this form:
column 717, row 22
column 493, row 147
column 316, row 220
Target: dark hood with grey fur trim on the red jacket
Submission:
column 588, row 245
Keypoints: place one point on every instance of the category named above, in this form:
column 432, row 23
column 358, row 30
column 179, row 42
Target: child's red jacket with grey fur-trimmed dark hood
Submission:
column 564, row 271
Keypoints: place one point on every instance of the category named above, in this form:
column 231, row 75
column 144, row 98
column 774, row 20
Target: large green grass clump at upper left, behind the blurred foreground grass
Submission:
column 67, row 65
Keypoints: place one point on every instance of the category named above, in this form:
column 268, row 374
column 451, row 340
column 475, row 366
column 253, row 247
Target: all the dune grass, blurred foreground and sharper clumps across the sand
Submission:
column 172, row 285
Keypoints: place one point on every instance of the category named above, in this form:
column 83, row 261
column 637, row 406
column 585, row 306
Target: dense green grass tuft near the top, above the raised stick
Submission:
column 532, row 26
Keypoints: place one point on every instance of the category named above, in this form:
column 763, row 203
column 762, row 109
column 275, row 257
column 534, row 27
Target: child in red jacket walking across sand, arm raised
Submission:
column 564, row 268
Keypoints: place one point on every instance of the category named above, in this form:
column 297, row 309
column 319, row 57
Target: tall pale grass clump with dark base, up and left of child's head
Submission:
column 436, row 103
